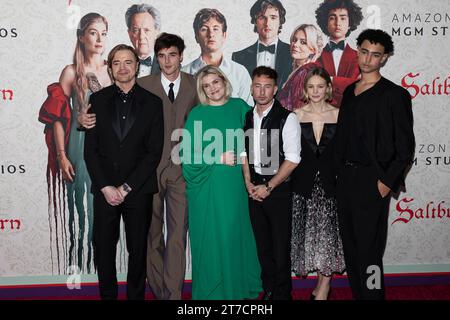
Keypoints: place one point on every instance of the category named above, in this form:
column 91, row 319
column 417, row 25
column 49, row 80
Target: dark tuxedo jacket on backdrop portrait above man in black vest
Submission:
column 283, row 61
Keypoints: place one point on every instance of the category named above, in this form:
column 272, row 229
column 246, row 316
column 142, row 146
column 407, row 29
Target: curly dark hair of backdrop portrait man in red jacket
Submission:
column 354, row 14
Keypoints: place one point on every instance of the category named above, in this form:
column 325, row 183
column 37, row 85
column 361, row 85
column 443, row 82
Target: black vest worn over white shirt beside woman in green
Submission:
column 271, row 140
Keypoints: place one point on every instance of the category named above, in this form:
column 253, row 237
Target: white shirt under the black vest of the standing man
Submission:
column 291, row 138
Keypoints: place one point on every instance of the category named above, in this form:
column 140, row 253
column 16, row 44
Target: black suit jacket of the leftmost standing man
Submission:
column 112, row 158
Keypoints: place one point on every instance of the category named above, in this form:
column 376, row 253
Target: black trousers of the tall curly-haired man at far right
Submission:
column 363, row 221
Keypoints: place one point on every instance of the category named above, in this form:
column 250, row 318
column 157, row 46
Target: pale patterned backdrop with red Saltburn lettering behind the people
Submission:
column 46, row 224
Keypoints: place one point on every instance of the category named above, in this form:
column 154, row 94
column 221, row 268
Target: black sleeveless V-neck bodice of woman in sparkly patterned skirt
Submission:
column 315, row 157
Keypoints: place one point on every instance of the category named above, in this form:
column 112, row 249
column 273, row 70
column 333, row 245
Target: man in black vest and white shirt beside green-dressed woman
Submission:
column 273, row 151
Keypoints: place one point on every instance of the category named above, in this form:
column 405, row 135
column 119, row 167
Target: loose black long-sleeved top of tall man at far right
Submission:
column 388, row 136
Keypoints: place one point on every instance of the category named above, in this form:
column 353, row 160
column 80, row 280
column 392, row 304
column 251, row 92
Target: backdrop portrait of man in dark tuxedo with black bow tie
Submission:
column 268, row 17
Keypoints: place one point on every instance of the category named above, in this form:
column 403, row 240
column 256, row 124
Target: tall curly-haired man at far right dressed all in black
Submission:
column 374, row 146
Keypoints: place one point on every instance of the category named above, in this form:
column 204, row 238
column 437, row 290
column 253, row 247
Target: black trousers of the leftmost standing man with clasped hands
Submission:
column 136, row 213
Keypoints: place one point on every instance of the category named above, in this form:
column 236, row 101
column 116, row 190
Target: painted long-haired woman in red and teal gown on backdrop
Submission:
column 65, row 113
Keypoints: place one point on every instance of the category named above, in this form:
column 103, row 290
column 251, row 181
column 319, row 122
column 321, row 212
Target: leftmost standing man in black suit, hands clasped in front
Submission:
column 122, row 153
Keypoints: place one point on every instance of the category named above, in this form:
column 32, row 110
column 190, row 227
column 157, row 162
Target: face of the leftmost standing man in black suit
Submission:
column 124, row 66
